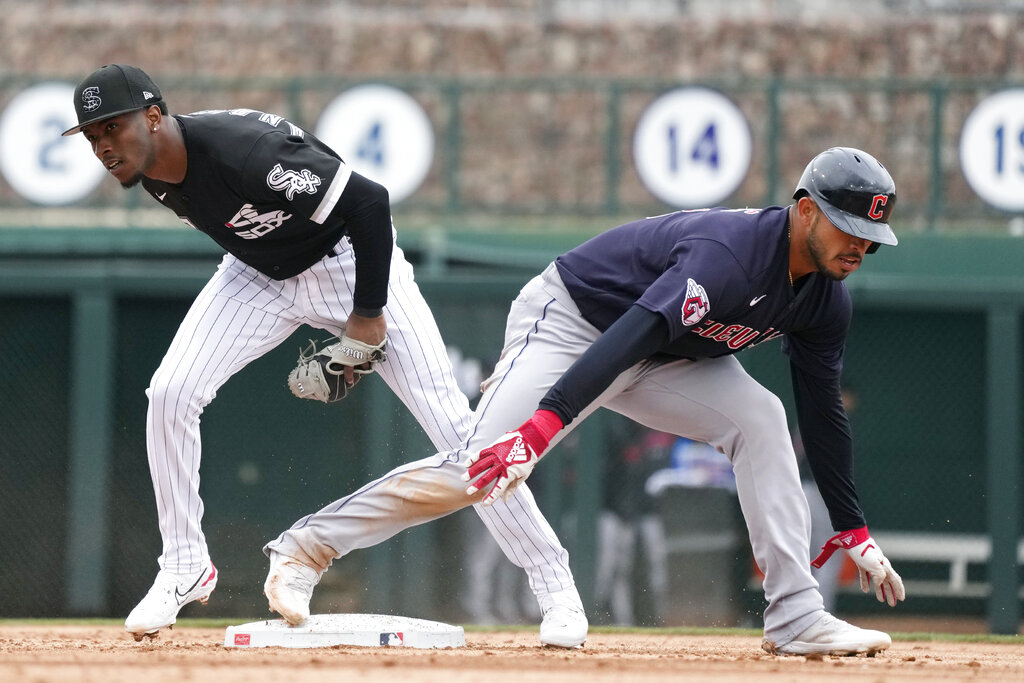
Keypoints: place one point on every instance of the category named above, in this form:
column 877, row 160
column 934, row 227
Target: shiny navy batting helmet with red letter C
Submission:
column 855, row 191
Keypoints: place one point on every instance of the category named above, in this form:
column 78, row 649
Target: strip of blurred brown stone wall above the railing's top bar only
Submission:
column 517, row 38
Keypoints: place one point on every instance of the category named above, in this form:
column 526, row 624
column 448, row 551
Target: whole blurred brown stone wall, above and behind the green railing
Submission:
column 545, row 148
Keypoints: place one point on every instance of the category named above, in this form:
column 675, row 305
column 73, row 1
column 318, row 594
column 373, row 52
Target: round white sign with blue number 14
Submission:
column 692, row 148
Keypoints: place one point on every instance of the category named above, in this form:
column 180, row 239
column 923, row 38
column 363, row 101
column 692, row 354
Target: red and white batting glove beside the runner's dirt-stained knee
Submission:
column 509, row 460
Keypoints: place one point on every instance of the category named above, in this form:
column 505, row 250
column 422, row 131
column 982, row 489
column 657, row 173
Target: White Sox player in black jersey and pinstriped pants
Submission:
column 309, row 242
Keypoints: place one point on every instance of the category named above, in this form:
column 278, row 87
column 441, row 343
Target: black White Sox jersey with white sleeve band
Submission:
column 278, row 198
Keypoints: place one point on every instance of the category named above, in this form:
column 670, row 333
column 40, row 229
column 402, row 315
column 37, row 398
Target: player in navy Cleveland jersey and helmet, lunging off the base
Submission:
column 646, row 320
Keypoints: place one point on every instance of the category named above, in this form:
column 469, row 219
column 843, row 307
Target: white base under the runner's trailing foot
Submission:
column 330, row 630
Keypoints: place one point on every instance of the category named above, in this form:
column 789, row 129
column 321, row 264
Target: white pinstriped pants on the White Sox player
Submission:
column 240, row 316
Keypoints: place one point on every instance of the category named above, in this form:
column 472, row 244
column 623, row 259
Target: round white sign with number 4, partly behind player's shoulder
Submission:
column 383, row 135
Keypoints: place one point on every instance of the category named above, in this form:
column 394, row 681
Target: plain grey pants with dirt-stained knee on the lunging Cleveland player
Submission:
column 712, row 401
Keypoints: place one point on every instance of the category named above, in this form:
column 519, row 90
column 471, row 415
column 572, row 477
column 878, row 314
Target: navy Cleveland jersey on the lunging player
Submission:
column 720, row 280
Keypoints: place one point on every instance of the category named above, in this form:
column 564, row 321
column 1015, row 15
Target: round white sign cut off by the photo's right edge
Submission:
column 992, row 150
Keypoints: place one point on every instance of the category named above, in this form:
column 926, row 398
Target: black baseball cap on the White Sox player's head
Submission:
column 113, row 91
